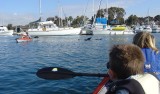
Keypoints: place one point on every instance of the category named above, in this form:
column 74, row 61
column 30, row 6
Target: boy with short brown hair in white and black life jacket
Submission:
column 125, row 69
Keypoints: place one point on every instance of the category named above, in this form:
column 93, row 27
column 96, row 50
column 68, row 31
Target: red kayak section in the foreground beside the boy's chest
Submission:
column 101, row 89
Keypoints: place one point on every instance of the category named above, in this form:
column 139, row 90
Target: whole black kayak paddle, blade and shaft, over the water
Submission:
column 56, row 73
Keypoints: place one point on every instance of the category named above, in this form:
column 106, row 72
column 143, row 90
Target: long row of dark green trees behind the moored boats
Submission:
column 115, row 15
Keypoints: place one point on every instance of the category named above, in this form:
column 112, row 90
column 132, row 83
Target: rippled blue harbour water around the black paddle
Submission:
column 20, row 61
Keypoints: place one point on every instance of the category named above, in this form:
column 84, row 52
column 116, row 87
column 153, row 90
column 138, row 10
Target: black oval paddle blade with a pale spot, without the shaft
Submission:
column 54, row 73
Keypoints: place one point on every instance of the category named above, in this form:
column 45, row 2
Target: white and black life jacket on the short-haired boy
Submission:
column 137, row 84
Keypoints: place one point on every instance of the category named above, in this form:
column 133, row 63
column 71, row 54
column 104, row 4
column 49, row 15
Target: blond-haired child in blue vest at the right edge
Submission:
column 146, row 42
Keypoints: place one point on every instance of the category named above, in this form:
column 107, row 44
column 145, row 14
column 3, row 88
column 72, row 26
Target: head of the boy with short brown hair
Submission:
column 126, row 60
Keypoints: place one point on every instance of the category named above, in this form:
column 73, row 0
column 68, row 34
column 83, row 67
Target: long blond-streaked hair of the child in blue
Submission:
column 145, row 40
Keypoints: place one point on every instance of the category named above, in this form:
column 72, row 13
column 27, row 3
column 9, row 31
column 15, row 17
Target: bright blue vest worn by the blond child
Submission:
column 152, row 61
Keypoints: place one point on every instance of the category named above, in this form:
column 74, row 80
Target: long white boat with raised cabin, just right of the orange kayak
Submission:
column 48, row 28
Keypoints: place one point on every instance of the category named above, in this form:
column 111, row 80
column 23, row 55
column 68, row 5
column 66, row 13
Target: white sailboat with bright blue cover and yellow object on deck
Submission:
column 100, row 26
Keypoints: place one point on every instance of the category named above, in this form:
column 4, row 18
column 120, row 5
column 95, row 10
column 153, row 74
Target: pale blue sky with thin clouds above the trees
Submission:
column 21, row 12
